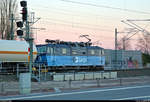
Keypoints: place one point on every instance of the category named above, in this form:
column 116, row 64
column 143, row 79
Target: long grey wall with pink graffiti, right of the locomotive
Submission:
column 123, row 59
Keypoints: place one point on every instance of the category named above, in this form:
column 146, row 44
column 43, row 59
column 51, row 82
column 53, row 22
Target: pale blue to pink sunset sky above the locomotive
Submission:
column 68, row 19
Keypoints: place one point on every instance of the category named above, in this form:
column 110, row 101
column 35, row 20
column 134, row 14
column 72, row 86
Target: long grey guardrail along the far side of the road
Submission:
column 12, row 88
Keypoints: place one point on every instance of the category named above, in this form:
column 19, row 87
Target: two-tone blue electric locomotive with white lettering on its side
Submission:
column 60, row 54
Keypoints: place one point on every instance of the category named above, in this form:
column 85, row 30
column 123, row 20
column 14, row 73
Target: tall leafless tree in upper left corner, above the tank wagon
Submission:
column 7, row 8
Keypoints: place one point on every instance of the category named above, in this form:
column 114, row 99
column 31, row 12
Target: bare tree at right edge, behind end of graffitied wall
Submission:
column 144, row 44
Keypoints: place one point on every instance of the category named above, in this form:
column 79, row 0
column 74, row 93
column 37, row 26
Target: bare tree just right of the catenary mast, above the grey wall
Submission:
column 124, row 43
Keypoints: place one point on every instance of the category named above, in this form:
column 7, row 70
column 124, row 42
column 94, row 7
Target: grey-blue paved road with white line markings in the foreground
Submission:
column 116, row 93
